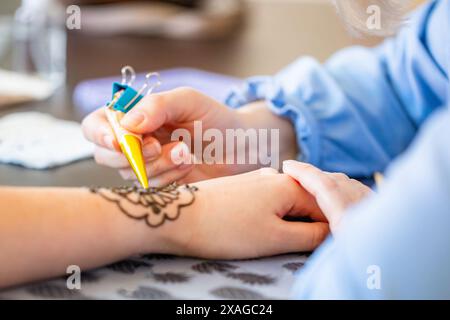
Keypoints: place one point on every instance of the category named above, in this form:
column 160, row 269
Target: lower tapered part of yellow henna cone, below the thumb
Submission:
column 132, row 148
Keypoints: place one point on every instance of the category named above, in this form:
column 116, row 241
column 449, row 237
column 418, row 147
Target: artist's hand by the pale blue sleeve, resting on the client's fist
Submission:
column 334, row 192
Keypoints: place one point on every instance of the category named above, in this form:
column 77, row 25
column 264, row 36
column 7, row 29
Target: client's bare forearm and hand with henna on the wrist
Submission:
column 44, row 230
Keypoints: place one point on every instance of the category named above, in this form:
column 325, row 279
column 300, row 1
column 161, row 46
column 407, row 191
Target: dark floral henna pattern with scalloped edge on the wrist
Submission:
column 154, row 205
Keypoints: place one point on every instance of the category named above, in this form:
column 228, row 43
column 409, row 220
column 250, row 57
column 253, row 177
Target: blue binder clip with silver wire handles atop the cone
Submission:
column 124, row 97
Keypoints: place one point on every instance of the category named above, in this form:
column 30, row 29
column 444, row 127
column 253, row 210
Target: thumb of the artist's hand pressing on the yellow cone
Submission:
column 178, row 105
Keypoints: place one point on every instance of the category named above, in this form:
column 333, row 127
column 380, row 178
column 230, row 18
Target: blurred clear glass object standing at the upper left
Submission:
column 39, row 41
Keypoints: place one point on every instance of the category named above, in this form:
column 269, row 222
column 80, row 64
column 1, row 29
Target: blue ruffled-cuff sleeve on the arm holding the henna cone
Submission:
column 363, row 107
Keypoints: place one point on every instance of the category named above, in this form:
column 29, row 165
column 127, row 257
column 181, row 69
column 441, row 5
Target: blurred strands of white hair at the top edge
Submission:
column 356, row 14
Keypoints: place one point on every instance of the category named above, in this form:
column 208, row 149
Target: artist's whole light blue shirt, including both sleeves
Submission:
column 356, row 114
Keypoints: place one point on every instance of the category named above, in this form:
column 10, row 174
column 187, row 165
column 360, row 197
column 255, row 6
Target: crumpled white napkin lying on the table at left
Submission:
column 39, row 141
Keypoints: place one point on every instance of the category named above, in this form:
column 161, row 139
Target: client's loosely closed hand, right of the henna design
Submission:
column 242, row 217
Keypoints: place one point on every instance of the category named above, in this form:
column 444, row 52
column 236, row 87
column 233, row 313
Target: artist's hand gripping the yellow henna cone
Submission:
column 156, row 117
